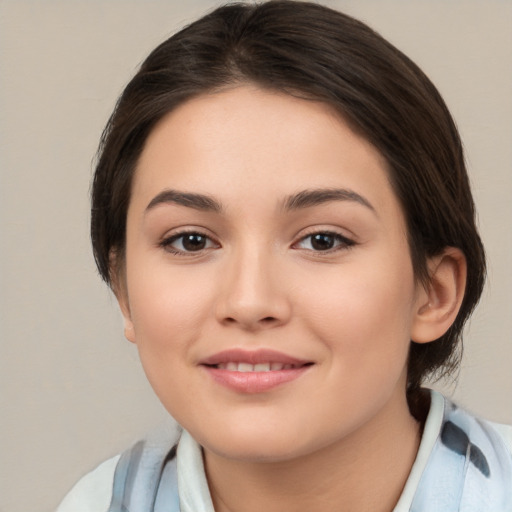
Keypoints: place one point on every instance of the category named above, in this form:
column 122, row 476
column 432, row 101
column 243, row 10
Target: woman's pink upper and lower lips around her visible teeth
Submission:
column 254, row 381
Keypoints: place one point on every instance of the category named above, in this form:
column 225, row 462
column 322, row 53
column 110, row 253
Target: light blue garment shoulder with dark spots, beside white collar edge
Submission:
column 469, row 463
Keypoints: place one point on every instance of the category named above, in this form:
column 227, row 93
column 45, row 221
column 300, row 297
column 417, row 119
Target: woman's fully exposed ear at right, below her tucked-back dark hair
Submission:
column 439, row 300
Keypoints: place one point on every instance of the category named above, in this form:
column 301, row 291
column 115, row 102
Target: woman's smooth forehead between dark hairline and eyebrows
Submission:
column 248, row 142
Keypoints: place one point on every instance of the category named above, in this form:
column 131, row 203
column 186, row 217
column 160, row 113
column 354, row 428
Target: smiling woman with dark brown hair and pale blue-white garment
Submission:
column 282, row 209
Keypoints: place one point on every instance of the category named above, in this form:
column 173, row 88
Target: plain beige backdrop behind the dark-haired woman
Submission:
column 72, row 390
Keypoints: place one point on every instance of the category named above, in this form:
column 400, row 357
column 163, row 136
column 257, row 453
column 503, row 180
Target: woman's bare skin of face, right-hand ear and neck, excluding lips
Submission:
column 331, row 435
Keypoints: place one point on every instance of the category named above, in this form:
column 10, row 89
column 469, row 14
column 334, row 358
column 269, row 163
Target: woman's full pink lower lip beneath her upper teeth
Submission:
column 254, row 382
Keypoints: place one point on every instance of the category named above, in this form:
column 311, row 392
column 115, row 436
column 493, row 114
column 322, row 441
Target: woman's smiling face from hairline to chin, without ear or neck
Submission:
column 268, row 281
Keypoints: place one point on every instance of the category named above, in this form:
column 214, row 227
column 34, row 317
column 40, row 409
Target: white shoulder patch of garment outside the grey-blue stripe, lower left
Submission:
column 93, row 492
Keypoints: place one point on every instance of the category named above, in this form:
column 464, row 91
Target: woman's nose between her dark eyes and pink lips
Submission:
column 253, row 295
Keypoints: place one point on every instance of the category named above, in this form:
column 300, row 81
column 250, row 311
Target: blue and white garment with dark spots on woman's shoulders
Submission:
column 464, row 464
